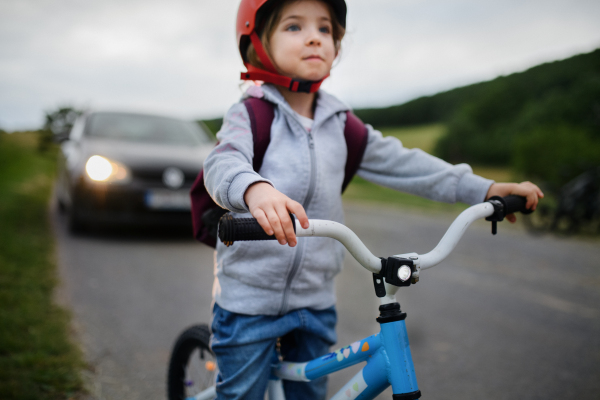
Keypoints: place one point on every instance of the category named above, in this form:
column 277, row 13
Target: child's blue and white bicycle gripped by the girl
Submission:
column 192, row 368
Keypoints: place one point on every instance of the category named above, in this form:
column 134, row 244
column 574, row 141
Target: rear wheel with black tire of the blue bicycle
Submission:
column 192, row 367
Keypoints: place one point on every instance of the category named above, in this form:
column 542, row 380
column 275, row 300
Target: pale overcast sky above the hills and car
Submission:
column 180, row 58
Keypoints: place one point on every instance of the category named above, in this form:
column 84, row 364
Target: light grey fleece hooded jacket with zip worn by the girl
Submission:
column 267, row 278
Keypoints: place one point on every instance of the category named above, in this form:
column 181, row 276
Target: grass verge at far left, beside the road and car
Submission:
column 37, row 359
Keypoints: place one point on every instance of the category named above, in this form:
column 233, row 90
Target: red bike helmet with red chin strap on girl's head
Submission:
column 246, row 26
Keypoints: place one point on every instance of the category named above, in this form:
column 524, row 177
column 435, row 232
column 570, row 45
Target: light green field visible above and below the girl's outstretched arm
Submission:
column 423, row 137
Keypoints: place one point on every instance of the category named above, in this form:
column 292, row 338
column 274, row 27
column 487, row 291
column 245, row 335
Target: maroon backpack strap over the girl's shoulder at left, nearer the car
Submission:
column 262, row 114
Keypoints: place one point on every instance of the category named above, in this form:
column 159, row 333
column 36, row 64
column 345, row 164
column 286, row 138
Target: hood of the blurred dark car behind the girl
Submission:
column 141, row 156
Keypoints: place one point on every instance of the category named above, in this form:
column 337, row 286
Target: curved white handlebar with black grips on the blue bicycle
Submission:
column 495, row 209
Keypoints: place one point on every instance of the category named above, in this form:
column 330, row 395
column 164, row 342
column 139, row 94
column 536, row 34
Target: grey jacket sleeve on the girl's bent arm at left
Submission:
column 228, row 170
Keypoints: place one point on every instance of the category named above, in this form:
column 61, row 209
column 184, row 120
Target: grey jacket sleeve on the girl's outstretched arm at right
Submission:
column 387, row 163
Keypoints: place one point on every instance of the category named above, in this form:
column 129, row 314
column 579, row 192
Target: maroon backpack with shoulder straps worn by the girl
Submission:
column 206, row 213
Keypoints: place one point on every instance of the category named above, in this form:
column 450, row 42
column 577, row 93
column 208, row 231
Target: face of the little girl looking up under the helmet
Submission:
column 302, row 44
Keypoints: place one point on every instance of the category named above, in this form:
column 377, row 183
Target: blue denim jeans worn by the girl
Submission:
column 244, row 346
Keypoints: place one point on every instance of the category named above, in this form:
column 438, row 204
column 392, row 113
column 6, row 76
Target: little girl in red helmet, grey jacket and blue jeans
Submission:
column 262, row 290
